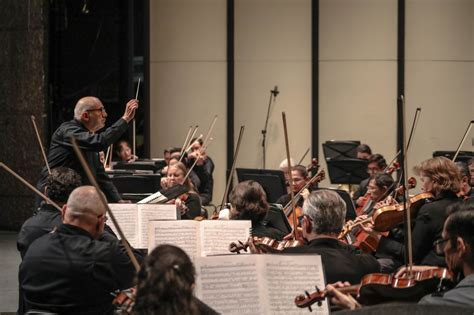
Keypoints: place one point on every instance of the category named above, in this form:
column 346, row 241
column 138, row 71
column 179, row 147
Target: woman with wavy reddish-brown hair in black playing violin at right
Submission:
column 441, row 177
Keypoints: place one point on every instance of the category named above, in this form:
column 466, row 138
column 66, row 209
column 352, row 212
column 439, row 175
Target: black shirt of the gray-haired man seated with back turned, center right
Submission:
column 341, row 262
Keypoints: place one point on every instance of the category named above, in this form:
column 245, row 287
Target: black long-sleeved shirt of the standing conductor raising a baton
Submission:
column 61, row 152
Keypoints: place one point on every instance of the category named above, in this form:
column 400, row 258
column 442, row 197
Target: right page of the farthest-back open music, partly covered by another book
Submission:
column 151, row 212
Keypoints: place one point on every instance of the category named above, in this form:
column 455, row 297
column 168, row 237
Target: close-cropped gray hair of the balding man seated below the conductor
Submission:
column 84, row 202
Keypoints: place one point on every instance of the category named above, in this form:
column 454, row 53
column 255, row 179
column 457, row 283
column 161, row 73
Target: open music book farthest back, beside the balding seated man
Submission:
column 133, row 219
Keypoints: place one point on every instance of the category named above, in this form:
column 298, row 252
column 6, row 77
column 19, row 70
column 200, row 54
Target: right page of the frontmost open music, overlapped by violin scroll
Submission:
column 292, row 274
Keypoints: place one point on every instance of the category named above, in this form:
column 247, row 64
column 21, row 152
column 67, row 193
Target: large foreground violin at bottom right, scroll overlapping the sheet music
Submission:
column 379, row 287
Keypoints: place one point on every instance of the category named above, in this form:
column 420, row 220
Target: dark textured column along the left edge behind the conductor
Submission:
column 22, row 94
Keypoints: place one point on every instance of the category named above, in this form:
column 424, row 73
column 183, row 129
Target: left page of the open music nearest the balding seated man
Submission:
column 126, row 216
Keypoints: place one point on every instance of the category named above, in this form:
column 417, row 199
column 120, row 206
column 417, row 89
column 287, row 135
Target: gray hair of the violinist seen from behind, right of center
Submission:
column 327, row 210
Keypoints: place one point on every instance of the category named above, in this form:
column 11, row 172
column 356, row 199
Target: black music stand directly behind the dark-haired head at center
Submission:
column 272, row 181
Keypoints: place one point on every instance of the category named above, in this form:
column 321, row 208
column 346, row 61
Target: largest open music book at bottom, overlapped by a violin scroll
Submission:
column 259, row 284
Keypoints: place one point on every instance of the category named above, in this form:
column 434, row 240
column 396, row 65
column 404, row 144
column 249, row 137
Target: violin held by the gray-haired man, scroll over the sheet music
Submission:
column 263, row 244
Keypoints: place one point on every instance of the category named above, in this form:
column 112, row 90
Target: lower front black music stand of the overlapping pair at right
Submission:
column 347, row 171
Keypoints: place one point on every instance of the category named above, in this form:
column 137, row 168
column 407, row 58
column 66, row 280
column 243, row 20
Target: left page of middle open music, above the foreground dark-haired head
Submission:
column 183, row 234
